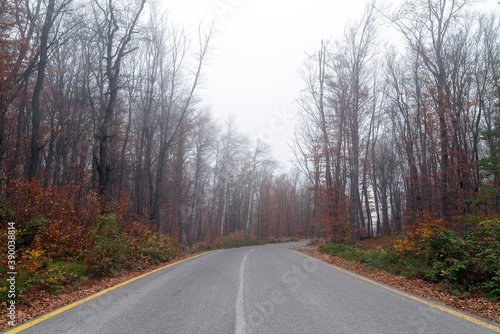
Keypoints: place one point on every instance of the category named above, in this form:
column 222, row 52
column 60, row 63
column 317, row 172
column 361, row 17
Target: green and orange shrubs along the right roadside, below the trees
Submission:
column 430, row 251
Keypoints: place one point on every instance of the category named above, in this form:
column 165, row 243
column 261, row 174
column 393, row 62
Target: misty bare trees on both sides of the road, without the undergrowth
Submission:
column 102, row 95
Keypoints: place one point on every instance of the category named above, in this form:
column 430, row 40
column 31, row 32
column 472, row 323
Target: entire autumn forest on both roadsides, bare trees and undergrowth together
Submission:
column 108, row 168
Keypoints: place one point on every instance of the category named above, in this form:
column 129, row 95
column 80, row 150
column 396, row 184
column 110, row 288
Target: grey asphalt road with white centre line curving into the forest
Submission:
column 267, row 289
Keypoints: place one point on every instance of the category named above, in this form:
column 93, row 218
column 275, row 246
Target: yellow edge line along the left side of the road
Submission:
column 83, row 300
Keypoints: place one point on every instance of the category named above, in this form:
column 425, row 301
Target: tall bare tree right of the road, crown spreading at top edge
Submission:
column 427, row 27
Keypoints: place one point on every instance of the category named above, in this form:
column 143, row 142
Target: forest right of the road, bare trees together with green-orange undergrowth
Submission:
column 401, row 141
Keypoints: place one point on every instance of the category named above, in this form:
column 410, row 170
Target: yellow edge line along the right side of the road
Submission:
column 426, row 302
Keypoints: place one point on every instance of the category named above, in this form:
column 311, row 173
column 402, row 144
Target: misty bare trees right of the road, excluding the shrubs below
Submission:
column 392, row 133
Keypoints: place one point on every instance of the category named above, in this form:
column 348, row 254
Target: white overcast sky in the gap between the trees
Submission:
column 260, row 47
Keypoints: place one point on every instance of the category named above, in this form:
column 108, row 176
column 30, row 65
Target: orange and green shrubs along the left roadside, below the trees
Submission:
column 63, row 238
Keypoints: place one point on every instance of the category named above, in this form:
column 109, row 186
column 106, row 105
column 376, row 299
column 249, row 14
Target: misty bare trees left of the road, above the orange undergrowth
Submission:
column 102, row 94
